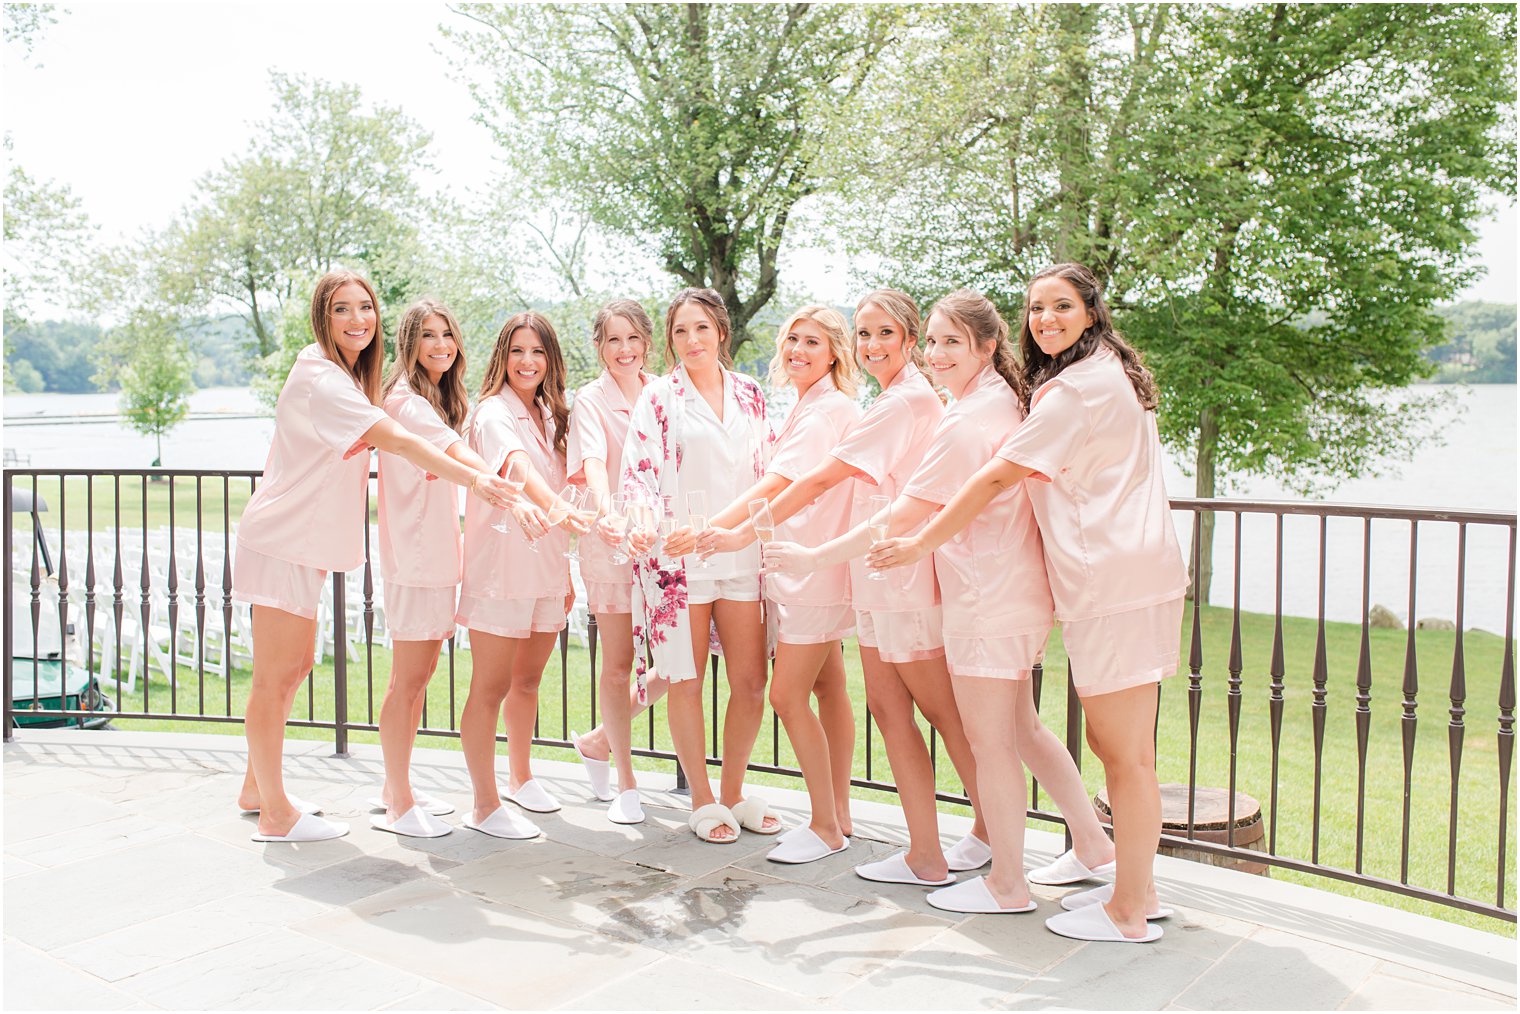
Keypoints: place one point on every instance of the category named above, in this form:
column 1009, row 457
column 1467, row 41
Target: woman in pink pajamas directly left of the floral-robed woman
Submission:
column 624, row 335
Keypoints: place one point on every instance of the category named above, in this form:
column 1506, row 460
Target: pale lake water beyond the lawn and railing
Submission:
column 1474, row 467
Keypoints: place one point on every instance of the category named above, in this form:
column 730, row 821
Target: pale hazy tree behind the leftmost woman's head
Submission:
column 325, row 185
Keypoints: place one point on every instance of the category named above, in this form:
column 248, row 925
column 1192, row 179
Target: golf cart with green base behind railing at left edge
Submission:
column 37, row 658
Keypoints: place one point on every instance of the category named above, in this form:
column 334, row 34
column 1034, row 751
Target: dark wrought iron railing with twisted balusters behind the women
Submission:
column 154, row 588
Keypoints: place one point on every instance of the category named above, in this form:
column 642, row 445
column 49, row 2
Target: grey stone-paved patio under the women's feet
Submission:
column 130, row 882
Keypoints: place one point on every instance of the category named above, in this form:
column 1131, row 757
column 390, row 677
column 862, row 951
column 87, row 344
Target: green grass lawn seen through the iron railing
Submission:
column 1430, row 782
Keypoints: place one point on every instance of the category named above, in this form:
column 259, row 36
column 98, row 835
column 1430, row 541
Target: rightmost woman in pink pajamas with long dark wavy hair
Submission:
column 1091, row 461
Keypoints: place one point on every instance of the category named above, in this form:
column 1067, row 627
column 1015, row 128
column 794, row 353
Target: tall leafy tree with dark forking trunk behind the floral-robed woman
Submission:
column 692, row 128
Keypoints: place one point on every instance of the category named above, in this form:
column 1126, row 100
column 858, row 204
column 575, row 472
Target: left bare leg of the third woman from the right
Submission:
column 893, row 711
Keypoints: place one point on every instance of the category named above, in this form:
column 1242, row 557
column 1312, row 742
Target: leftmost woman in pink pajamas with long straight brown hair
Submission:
column 306, row 519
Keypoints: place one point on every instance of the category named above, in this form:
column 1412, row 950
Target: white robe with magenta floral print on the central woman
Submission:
column 651, row 464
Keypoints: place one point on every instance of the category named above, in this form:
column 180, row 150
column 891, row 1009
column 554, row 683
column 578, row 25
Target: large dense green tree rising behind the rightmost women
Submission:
column 1276, row 195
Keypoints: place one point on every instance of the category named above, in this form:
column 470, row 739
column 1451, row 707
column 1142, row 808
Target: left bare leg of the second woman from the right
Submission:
column 987, row 708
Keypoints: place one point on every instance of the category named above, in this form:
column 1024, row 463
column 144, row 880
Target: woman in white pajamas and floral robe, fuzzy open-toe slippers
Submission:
column 700, row 437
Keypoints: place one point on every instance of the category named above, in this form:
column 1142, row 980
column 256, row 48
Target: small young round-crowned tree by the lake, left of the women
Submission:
column 151, row 361
